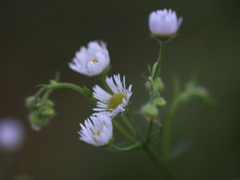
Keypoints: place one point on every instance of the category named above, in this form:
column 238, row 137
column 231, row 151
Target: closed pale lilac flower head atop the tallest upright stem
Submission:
column 164, row 22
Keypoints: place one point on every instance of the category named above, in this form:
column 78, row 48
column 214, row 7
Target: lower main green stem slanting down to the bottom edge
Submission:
column 166, row 172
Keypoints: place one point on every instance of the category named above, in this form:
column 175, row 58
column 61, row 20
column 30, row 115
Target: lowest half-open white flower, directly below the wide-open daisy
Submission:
column 98, row 130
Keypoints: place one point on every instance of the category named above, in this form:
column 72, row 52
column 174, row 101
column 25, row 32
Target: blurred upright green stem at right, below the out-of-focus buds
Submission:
column 167, row 132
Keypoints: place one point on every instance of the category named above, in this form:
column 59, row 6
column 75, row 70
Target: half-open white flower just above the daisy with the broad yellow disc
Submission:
column 91, row 61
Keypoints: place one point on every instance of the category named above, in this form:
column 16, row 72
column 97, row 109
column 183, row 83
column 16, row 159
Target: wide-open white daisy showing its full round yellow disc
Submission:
column 113, row 104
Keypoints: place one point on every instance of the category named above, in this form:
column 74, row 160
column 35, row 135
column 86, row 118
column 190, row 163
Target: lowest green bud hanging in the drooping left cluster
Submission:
column 37, row 120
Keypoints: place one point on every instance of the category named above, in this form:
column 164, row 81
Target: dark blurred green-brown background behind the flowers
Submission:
column 37, row 38
